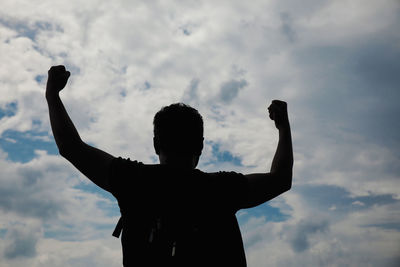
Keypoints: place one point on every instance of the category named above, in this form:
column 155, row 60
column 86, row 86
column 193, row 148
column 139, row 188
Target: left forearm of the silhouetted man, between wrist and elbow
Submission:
column 64, row 131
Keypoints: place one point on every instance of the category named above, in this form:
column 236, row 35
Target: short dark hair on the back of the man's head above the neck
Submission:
column 178, row 129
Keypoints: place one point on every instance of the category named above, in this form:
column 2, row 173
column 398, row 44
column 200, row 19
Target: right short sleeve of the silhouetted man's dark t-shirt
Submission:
column 232, row 187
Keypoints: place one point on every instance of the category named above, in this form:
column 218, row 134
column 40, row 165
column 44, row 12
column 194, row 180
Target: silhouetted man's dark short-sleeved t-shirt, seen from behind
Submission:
column 178, row 217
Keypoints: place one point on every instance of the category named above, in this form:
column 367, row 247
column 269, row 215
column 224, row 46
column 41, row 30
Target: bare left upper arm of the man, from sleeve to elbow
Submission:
column 93, row 163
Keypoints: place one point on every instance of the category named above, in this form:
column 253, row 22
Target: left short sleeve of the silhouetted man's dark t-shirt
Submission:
column 122, row 175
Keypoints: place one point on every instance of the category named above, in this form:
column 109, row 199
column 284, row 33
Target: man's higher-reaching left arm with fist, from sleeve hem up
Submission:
column 91, row 161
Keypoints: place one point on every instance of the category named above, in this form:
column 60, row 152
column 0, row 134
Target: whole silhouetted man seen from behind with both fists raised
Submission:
column 173, row 214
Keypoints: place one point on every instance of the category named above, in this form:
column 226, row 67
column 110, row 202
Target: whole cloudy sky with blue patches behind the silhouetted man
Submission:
column 336, row 63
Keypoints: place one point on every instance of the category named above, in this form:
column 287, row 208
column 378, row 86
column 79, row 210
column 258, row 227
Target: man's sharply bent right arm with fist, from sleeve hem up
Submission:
column 265, row 186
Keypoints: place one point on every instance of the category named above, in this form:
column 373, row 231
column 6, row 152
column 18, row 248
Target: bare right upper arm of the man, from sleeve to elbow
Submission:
column 262, row 187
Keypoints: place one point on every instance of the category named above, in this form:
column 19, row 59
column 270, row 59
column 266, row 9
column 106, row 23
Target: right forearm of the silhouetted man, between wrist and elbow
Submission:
column 283, row 159
